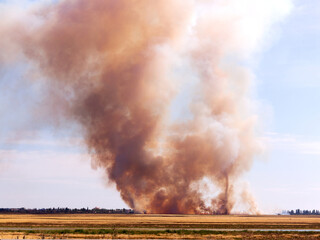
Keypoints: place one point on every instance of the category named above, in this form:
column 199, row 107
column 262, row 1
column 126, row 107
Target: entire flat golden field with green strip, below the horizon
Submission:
column 137, row 226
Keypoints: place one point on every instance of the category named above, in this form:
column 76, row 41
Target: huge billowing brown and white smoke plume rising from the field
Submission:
column 116, row 66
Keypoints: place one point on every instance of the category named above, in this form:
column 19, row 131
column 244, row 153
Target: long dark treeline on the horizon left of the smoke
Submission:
column 66, row 210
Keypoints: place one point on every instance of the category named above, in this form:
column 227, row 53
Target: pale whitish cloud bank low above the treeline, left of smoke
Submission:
column 53, row 177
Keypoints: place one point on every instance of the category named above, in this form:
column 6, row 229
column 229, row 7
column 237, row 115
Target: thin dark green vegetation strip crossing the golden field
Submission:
column 153, row 232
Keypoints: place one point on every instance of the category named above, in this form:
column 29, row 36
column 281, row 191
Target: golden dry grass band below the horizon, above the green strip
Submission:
column 160, row 221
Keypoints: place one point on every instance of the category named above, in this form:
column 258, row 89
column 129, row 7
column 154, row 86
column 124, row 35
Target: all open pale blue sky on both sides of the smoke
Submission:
column 48, row 168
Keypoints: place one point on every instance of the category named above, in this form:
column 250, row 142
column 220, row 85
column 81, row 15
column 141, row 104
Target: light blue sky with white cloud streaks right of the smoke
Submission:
column 288, row 88
